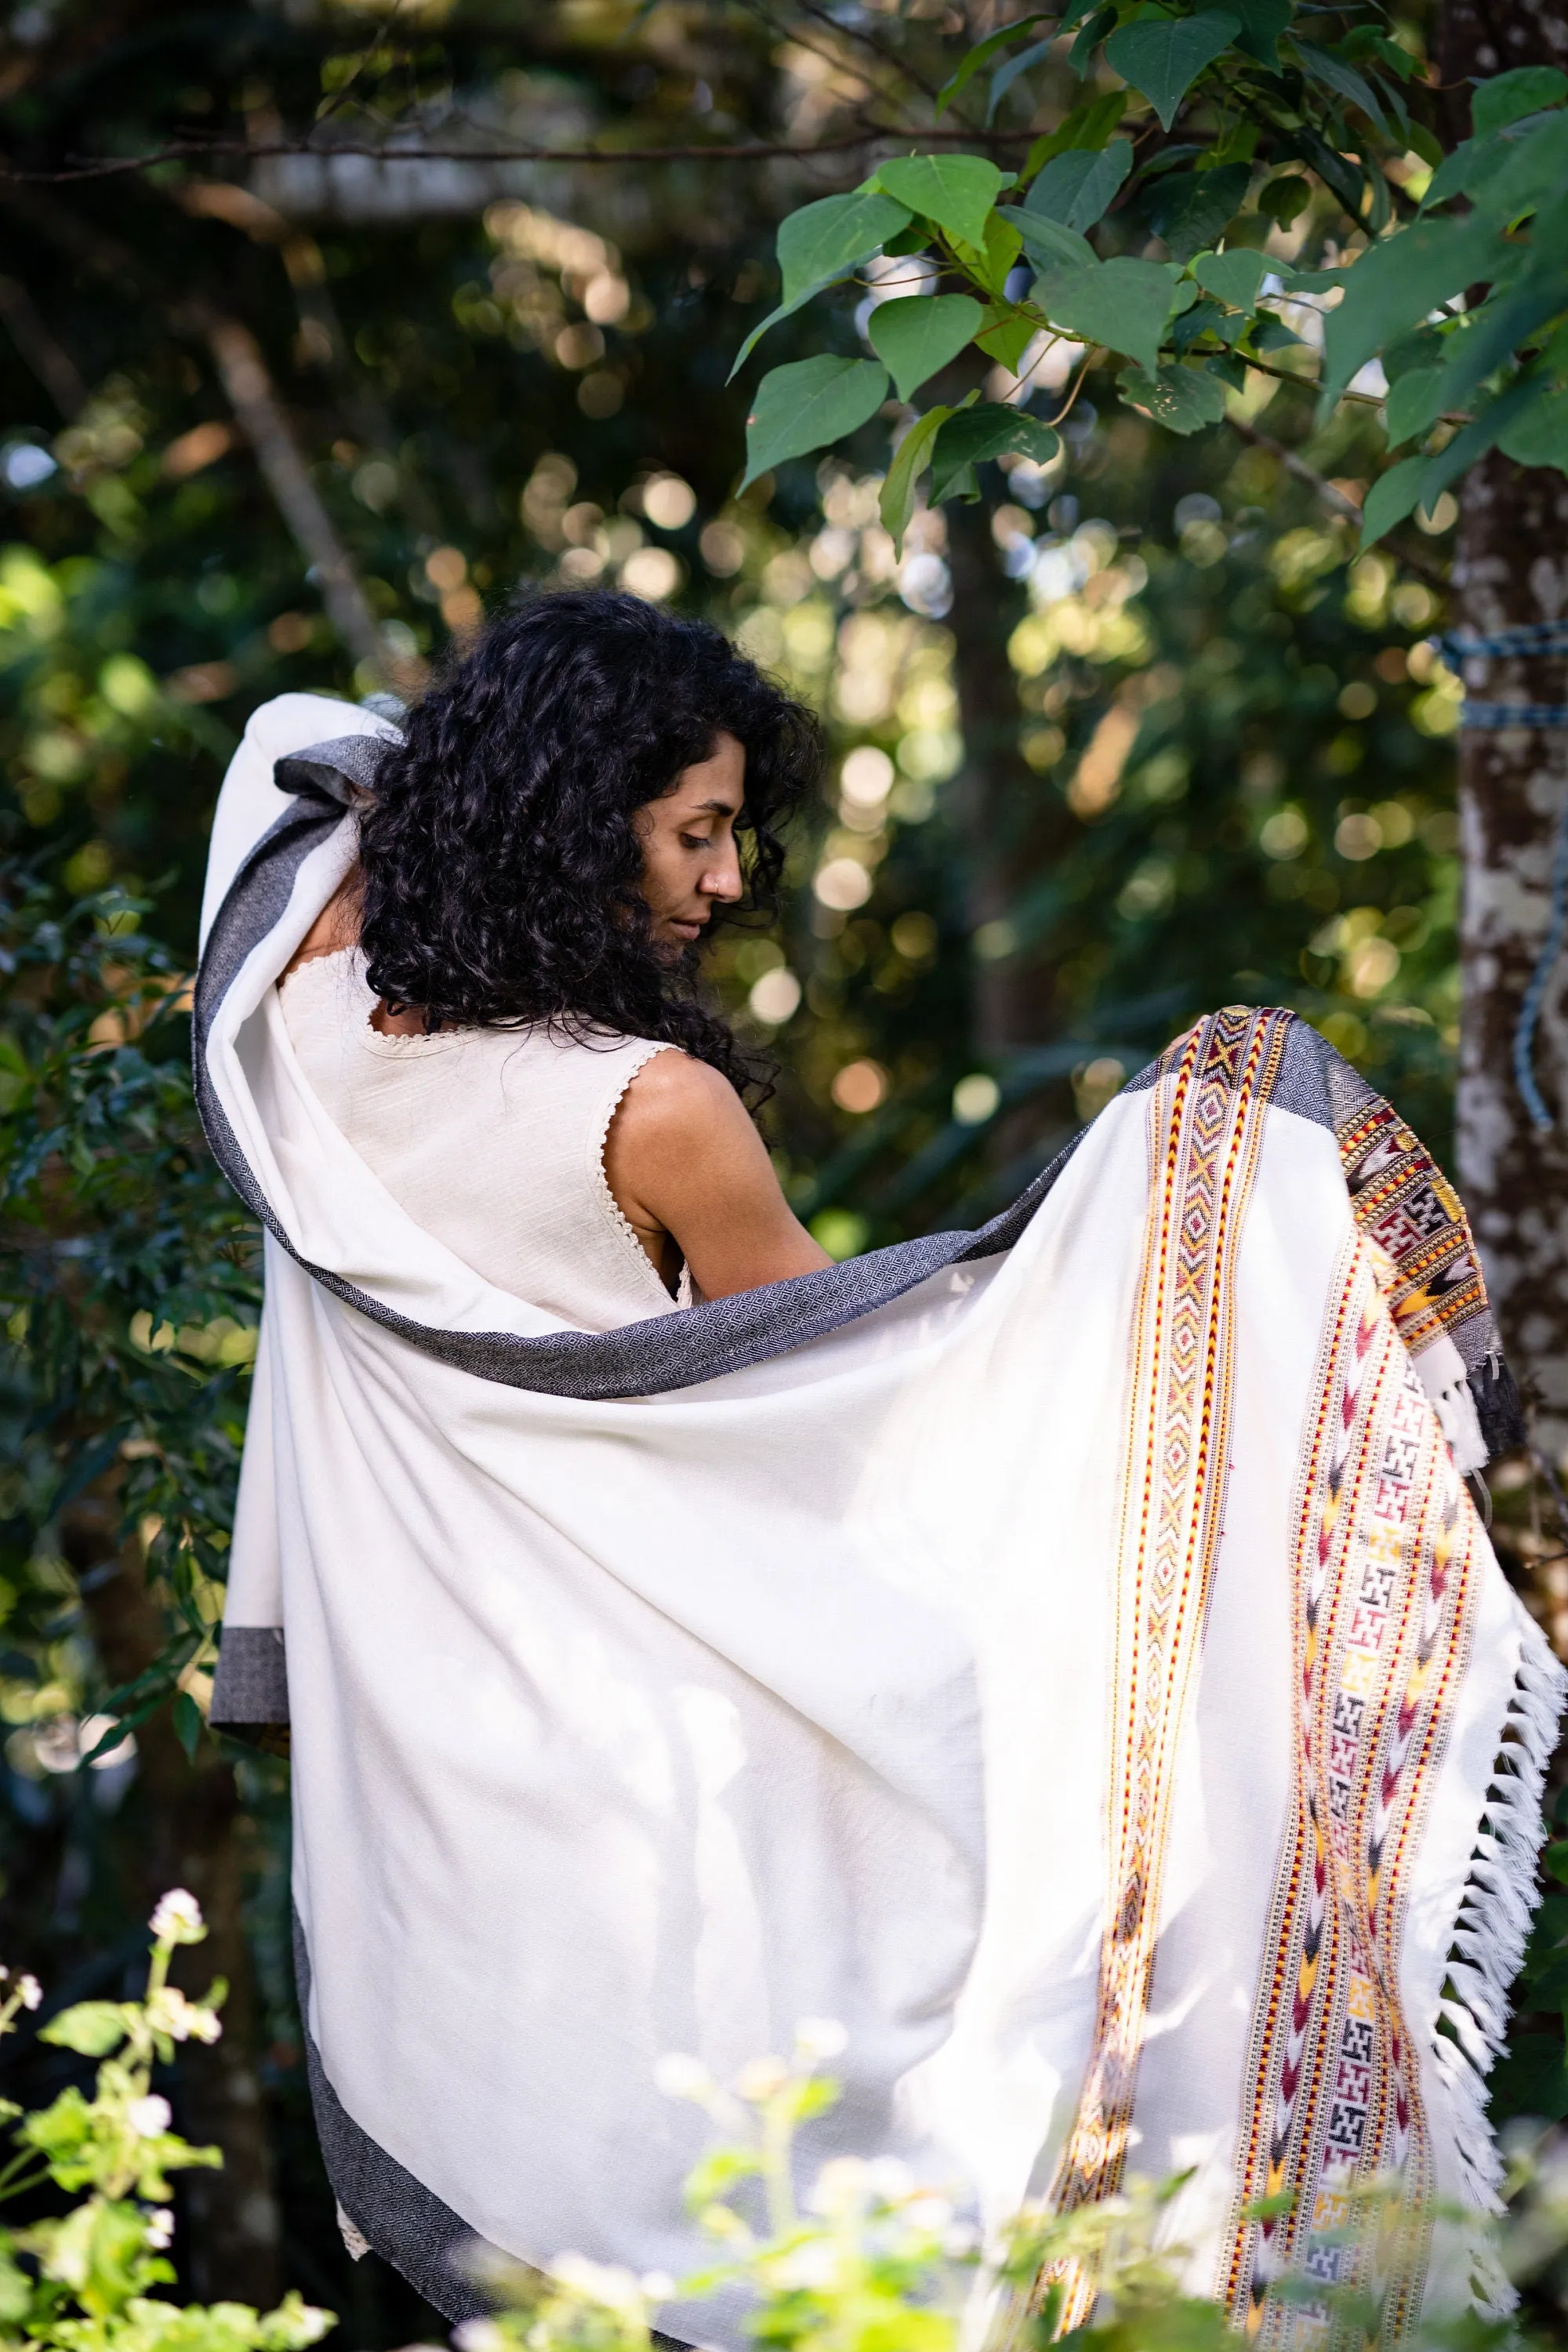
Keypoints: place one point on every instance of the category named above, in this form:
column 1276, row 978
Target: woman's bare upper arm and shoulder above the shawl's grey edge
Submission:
column 688, row 1165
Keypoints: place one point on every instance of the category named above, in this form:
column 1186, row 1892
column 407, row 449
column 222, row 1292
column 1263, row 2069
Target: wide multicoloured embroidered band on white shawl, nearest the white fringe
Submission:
column 1381, row 1624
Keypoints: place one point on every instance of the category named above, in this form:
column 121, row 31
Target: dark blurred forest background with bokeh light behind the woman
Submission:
column 1132, row 735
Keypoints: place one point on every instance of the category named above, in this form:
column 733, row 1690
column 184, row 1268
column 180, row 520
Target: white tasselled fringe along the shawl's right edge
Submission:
column 1492, row 1932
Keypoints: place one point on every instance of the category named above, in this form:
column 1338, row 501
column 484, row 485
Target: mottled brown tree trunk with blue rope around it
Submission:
column 1510, row 570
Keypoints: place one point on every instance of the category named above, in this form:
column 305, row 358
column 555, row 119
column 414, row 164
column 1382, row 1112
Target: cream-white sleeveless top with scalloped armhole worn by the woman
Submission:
column 490, row 1140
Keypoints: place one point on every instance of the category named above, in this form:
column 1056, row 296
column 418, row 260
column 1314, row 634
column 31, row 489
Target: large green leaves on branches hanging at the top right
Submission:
column 1254, row 93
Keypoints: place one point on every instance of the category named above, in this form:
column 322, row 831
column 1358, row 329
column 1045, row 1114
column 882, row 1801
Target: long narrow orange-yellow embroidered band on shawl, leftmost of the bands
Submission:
column 1205, row 1137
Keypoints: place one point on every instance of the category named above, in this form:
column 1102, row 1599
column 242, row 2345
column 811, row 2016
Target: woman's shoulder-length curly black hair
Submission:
column 500, row 860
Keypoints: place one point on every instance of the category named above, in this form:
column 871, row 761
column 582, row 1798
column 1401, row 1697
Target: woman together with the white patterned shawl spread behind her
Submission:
column 1061, row 1655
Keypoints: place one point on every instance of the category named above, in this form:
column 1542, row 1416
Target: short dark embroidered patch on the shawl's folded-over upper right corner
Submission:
column 1405, row 1203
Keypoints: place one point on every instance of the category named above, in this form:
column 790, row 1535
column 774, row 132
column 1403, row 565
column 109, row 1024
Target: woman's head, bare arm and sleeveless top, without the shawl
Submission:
column 528, row 933
